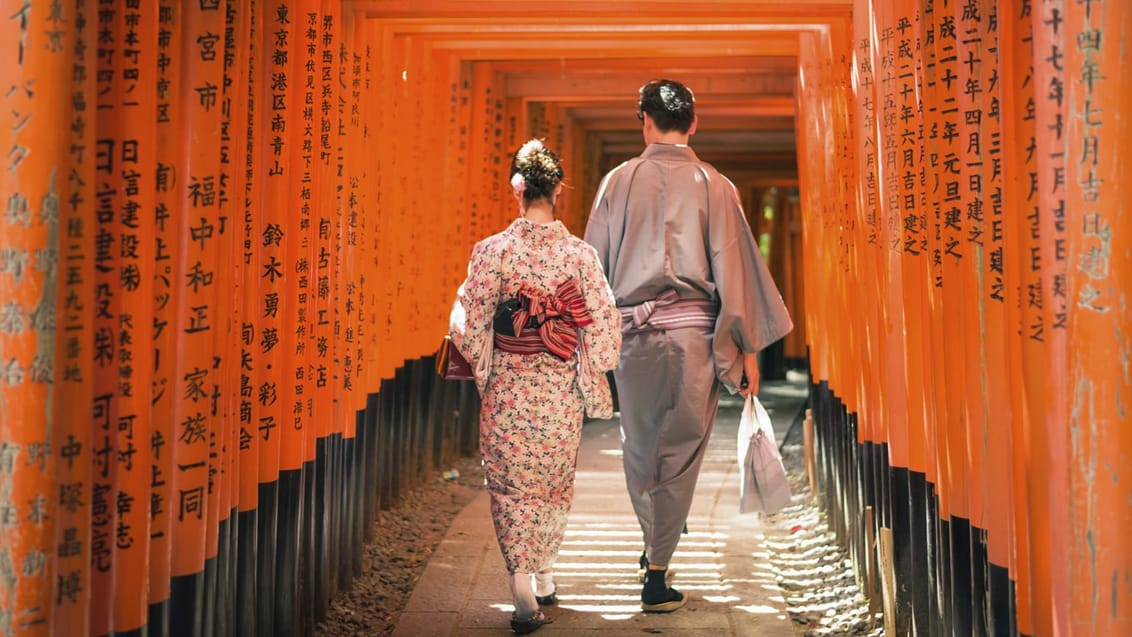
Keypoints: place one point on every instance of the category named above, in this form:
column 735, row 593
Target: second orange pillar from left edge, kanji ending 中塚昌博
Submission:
column 74, row 337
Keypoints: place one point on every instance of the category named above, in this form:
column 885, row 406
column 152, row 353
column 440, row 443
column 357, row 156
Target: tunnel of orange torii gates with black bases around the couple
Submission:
column 233, row 231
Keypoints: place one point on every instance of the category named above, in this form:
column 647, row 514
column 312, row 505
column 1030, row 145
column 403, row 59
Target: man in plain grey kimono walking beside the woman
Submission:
column 698, row 304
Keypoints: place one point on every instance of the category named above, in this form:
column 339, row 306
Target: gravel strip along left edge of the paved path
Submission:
column 405, row 540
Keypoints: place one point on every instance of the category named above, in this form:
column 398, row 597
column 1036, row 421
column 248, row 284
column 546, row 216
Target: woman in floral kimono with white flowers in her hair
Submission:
column 541, row 296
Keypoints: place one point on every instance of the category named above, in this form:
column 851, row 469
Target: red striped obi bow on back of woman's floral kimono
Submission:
column 559, row 317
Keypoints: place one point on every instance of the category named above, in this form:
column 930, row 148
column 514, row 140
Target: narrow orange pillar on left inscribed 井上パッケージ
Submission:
column 170, row 158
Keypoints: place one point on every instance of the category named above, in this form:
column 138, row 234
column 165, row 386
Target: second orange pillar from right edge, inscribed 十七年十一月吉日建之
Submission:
column 1045, row 351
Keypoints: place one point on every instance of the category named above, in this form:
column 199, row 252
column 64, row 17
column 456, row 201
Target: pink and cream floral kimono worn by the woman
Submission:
column 533, row 404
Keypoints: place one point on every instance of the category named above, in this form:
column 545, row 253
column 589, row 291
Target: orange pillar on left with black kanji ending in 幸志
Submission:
column 136, row 184
